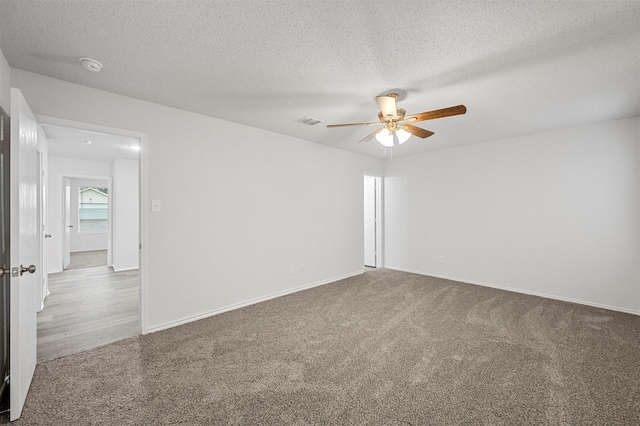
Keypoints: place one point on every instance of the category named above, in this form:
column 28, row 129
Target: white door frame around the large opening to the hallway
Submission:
column 143, row 214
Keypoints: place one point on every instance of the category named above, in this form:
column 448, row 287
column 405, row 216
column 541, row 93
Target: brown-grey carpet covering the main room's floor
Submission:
column 381, row 348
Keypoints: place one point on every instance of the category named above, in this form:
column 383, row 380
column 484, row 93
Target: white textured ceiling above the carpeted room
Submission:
column 520, row 67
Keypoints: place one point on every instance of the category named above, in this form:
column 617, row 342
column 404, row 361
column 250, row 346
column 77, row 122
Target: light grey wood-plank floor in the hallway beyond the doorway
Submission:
column 87, row 308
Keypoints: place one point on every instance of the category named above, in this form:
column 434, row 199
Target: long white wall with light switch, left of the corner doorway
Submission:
column 272, row 202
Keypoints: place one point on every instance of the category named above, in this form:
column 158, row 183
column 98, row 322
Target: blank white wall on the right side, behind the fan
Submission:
column 554, row 213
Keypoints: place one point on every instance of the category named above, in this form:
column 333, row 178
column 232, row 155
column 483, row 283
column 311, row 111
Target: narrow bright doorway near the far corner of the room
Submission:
column 372, row 221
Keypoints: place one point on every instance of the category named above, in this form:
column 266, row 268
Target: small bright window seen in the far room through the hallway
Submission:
column 93, row 209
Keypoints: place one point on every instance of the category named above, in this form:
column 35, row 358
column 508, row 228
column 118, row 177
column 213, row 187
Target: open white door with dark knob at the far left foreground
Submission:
column 25, row 256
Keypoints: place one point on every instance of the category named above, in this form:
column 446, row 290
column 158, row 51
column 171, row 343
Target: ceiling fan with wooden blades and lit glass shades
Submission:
column 397, row 127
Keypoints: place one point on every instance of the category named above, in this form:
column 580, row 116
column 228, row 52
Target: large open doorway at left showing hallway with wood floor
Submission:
column 94, row 251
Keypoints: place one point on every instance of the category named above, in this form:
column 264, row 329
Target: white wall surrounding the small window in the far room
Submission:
column 85, row 241
